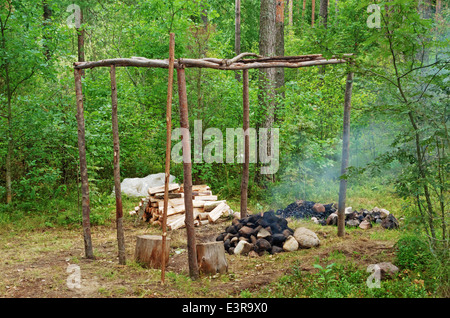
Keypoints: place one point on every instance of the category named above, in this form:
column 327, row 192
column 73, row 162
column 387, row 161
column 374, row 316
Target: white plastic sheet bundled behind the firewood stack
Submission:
column 138, row 187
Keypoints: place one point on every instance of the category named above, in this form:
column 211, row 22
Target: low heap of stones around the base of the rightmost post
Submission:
column 365, row 218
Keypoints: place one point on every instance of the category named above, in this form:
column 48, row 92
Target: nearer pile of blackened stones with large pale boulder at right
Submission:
column 265, row 233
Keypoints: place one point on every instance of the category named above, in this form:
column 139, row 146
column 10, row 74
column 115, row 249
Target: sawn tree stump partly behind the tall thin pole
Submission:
column 149, row 250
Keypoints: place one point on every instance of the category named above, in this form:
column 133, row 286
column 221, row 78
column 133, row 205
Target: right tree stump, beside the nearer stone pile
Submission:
column 211, row 258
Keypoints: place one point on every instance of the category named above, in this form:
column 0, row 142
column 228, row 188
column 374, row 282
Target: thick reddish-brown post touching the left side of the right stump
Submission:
column 187, row 168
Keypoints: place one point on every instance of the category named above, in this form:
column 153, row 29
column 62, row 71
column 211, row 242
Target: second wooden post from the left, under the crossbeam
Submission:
column 117, row 188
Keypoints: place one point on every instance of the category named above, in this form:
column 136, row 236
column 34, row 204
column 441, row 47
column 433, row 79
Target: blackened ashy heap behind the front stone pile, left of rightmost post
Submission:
column 301, row 209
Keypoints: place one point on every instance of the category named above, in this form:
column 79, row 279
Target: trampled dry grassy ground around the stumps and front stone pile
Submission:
column 36, row 264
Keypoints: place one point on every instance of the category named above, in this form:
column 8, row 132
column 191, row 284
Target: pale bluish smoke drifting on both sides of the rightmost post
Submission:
column 314, row 173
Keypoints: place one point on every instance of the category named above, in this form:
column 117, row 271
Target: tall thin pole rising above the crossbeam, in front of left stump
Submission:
column 168, row 148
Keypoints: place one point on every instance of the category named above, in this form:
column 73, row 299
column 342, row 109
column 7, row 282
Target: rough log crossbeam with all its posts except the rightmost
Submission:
column 238, row 63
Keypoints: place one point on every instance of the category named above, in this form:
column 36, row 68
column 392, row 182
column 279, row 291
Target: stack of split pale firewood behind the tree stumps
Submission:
column 206, row 207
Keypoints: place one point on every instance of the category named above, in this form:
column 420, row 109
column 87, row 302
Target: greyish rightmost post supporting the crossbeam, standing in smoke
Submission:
column 345, row 154
